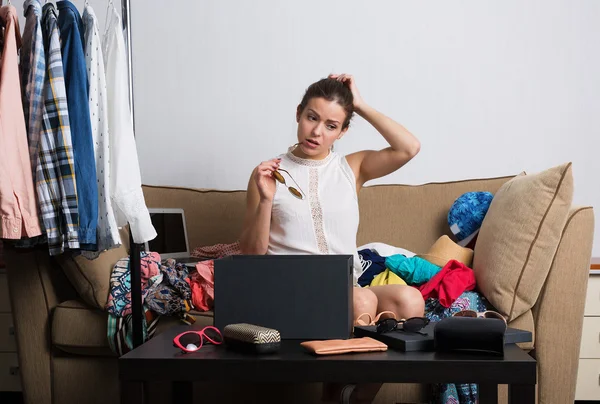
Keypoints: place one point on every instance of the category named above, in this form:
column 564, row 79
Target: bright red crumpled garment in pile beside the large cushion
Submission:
column 448, row 284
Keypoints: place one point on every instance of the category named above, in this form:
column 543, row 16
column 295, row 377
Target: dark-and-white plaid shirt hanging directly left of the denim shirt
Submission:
column 55, row 178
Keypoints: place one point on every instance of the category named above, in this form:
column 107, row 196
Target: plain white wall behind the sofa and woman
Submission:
column 490, row 88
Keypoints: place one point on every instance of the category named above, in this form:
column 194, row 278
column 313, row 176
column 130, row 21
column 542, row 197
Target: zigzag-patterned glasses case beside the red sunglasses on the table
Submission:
column 251, row 338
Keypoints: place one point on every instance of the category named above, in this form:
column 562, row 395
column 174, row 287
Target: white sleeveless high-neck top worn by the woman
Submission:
column 326, row 220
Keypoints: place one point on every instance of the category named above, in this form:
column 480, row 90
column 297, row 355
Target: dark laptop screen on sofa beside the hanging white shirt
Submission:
column 171, row 239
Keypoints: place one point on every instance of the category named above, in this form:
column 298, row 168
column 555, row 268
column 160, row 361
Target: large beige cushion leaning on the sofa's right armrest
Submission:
column 519, row 237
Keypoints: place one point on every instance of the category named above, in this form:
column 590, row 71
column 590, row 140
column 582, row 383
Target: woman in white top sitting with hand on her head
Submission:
column 324, row 219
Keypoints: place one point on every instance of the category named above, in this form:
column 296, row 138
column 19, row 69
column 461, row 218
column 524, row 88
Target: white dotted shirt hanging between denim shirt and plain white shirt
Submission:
column 107, row 231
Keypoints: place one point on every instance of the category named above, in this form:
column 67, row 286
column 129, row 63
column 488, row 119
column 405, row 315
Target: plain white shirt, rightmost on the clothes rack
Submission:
column 125, row 180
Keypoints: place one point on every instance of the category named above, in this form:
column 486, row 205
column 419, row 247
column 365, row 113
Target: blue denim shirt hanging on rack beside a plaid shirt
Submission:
column 76, row 82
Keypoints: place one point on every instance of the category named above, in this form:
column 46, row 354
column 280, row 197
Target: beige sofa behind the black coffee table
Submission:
column 61, row 328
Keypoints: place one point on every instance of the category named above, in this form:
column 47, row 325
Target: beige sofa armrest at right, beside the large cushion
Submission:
column 558, row 313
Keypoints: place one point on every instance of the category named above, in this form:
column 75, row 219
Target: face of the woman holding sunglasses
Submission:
column 319, row 126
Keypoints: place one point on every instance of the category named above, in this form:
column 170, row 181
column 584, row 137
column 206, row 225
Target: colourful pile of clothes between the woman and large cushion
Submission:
column 443, row 275
